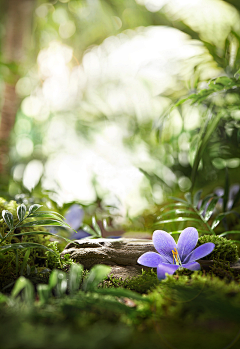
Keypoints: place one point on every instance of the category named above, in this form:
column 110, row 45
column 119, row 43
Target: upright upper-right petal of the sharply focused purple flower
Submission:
column 187, row 242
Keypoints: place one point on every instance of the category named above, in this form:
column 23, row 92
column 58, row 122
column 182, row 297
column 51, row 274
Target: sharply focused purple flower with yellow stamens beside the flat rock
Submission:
column 172, row 256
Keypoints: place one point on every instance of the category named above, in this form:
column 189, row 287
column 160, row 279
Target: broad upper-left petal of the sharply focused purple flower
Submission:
column 164, row 244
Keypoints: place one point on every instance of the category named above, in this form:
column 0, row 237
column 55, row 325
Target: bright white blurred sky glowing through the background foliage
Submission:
column 123, row 76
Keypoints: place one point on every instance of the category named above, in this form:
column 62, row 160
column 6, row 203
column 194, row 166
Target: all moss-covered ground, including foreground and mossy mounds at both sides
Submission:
column 188, row 310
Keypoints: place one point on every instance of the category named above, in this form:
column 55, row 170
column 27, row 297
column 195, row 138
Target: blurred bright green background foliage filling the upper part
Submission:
column 87, row 99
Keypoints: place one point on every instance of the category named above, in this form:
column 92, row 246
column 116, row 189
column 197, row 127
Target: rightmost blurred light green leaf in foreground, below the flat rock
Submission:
column 97, row 274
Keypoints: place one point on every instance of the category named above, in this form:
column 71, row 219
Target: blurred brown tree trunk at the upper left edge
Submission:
column 18, row 28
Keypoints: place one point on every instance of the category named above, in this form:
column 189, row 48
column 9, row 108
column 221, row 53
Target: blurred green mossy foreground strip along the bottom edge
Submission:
column 181, row 312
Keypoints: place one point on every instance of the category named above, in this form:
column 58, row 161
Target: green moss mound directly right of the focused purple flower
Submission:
column 224, row 249
